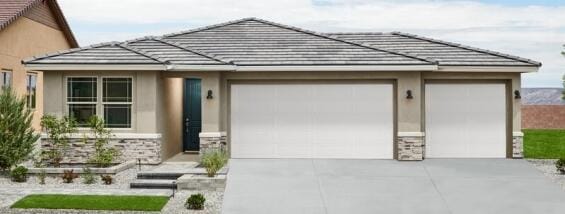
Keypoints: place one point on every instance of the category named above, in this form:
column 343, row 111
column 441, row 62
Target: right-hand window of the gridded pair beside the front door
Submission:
column 117, row 101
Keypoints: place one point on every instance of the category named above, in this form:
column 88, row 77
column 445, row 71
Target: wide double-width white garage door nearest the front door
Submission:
column 312, row 121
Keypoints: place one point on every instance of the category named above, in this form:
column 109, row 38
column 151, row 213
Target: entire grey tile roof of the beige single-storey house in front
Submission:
column 256, row 42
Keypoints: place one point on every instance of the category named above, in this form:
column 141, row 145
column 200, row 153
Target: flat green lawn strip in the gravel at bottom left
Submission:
column 93, row 202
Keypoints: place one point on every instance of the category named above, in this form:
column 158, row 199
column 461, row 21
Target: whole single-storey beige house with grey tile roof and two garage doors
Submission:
column 274, row 91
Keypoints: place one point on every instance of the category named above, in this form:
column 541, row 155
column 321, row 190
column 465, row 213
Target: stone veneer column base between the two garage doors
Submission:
column 410, row 146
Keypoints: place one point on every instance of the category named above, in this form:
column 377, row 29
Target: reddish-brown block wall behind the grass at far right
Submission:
column 543, row 116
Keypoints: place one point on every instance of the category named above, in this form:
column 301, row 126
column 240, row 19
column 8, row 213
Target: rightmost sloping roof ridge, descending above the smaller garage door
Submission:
column 495, row 53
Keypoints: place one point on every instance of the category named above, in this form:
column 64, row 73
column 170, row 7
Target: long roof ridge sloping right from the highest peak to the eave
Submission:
column 341, row 40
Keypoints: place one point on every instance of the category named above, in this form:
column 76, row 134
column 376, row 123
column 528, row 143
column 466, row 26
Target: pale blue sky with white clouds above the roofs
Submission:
column 530, row 29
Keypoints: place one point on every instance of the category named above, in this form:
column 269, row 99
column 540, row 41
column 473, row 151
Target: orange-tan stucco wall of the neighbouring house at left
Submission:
column 25, row 38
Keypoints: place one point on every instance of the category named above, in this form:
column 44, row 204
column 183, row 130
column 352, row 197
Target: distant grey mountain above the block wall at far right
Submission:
column 542, row 96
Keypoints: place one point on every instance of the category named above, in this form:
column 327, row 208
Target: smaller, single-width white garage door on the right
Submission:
column 465, row 121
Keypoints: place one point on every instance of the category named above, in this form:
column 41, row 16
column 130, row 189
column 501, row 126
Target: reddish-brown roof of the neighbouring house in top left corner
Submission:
column 10, row 10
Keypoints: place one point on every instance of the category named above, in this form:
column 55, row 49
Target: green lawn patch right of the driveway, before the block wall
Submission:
column 544, row 144
